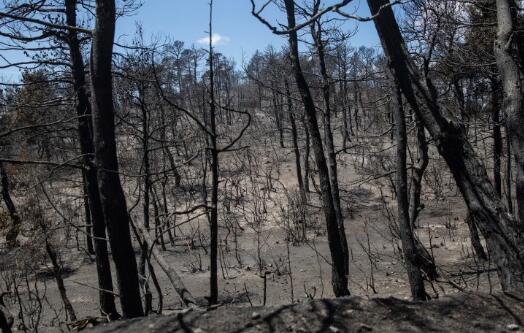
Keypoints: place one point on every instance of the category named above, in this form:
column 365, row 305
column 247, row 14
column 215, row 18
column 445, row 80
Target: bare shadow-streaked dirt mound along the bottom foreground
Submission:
column 455, row 313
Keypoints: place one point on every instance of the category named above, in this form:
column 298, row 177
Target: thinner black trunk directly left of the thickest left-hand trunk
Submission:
column 87, row 149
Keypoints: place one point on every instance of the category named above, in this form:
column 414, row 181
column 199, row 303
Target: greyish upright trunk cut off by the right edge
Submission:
column 510, row 69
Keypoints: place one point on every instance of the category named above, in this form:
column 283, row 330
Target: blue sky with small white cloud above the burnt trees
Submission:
column 239, row 32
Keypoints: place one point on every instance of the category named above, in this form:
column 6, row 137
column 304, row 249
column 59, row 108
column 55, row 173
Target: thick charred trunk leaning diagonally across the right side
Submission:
column 498, row 227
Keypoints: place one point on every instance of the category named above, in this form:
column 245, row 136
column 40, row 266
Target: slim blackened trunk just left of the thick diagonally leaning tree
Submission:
column 407, row 237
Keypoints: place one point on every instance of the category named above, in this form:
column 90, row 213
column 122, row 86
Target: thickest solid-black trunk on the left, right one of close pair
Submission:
column 110, row 188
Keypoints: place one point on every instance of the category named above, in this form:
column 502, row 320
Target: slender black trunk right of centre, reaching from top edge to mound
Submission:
column 336, row 233
